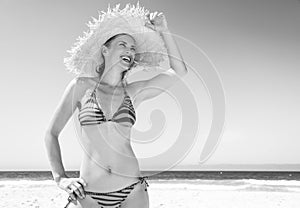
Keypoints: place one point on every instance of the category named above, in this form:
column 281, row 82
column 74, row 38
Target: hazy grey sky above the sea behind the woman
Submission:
column 248, row 49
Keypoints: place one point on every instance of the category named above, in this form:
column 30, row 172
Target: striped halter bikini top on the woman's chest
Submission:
column 90, row 112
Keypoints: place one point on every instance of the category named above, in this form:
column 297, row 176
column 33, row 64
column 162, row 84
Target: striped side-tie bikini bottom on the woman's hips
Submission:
column 115, row 198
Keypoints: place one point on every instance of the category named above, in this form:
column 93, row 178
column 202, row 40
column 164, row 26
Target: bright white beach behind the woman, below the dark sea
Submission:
column 206, row 194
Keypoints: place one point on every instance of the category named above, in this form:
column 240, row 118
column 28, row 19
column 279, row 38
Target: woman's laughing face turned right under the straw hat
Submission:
column 121, row 51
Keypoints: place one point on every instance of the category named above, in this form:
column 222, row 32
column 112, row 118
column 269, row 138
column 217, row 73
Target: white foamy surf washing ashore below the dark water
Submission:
column 197, row 184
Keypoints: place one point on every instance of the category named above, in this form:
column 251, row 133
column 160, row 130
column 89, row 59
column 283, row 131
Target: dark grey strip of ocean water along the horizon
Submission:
column 168, row 175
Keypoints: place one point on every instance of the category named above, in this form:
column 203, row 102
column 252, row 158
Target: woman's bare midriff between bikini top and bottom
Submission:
column 109, row 162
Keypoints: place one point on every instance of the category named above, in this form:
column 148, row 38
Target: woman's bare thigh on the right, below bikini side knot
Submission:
column 138, row 198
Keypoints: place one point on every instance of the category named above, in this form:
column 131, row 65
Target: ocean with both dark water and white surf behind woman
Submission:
column 198, row 180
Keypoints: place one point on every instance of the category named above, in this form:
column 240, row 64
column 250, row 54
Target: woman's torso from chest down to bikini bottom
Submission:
column 109, row 162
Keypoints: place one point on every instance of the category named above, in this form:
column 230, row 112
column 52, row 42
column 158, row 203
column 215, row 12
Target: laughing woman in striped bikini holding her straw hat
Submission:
column 109, row 173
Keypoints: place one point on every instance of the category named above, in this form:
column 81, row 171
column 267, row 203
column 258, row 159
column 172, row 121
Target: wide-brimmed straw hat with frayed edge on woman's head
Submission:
column 85, row 55
